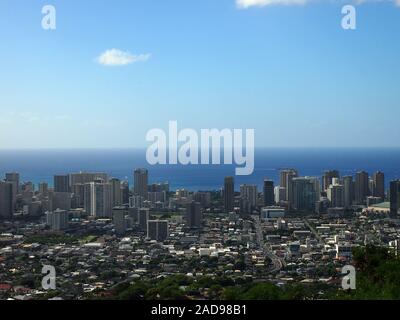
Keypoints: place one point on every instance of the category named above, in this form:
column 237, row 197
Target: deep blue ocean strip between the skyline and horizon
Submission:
column 40, row 165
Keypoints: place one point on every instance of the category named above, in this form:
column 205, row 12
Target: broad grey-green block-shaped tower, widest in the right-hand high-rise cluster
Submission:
column 305, row 193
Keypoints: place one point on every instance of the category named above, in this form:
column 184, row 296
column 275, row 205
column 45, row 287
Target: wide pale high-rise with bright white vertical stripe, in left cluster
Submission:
column 98, row 199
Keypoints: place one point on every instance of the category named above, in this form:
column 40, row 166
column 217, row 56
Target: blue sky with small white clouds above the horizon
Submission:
column 113, row 70
